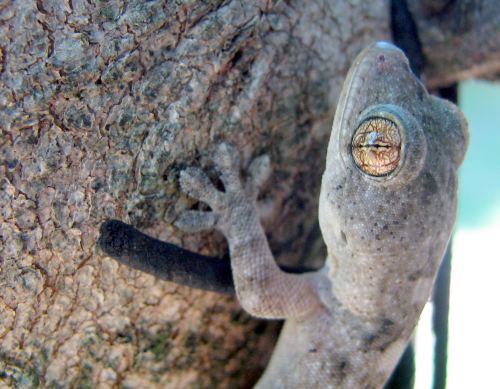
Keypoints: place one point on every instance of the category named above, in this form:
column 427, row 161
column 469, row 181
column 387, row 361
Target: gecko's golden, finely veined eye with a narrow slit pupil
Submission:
column 376, row 146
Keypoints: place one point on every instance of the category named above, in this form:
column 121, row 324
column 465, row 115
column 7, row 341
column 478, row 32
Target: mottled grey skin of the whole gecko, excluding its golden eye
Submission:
column 348, row 323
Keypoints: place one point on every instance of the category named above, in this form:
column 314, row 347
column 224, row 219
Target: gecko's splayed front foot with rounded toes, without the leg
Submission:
column 238, row 198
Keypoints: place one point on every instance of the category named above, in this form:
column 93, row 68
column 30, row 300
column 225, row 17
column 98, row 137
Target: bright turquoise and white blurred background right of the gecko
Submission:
column 474, row 341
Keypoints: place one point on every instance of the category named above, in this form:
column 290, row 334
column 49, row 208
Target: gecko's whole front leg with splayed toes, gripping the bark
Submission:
column 263, row 289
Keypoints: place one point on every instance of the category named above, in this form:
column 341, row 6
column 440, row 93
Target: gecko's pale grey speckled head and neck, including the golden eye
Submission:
column 388, row 195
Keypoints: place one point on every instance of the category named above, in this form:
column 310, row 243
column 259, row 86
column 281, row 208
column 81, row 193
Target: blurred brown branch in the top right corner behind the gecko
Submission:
column 460, row 38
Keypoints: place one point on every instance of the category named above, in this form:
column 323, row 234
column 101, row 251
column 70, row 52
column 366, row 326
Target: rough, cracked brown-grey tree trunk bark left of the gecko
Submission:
column 102, row 104
